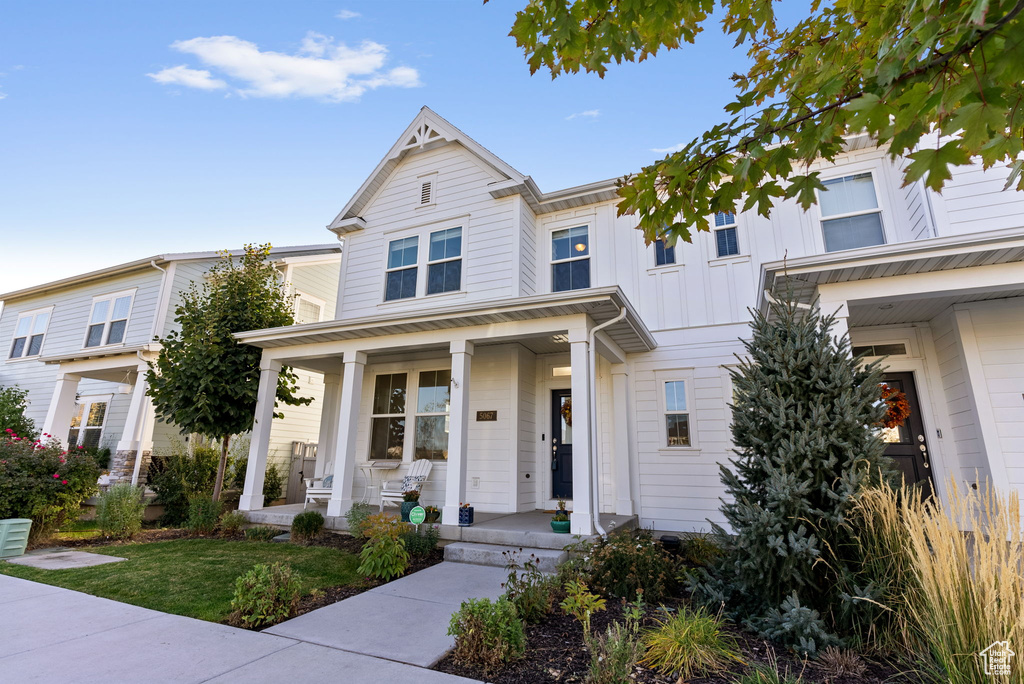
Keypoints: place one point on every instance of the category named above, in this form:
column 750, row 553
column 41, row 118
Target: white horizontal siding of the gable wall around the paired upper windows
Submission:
column 461, row 199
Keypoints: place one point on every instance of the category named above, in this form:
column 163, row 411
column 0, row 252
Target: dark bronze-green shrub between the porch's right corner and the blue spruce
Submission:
column 626, row 564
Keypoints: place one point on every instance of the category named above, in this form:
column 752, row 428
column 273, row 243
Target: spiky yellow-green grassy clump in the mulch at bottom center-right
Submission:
column 690, row 645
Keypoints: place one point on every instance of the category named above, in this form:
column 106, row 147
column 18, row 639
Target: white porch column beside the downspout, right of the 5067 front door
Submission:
column 582, row 519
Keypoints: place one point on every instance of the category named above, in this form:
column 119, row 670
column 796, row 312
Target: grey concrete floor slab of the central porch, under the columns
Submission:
column 529, row 530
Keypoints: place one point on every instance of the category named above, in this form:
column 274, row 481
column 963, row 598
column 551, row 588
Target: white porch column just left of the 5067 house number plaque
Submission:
column 455, row 485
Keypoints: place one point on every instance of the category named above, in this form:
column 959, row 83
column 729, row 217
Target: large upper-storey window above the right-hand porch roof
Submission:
column 850, row 213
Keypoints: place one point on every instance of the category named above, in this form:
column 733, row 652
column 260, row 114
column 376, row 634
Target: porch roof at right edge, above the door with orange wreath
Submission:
column 920, row 256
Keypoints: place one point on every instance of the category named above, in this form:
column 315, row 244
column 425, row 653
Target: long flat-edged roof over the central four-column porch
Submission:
column 601, row 304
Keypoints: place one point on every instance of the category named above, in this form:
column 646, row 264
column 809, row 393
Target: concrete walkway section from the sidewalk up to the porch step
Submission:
column 405, row 621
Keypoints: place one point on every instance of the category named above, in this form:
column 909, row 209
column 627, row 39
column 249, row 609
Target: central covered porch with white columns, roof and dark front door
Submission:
column 473, row 391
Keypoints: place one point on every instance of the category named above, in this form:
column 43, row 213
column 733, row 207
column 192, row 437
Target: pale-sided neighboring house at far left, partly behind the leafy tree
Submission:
column 80, row 347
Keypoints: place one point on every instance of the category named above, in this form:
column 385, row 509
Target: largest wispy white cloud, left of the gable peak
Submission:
column 320, row 69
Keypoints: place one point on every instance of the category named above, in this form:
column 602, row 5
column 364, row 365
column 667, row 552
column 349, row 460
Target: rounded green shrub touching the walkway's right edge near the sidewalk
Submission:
column 488, row 633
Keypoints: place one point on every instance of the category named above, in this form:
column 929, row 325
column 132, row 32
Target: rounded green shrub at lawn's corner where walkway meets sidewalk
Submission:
column 265, row 596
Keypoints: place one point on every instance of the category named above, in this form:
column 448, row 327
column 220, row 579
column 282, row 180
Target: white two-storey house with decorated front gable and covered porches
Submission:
column 474, row 308
